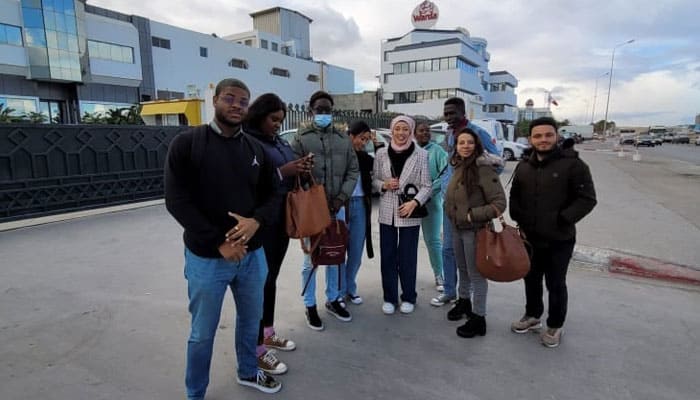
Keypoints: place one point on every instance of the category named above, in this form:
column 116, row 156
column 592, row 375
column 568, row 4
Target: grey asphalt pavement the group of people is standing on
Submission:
column 96, row 309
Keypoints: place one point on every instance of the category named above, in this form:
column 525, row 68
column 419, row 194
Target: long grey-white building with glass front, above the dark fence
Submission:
column 65, row 58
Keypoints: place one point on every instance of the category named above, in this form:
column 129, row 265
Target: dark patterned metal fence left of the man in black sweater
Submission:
column 46, row 169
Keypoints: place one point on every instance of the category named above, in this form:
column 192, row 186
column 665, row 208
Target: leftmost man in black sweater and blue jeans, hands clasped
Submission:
column 221, row 188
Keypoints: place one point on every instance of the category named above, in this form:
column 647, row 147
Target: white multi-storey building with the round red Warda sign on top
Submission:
column 424, row 67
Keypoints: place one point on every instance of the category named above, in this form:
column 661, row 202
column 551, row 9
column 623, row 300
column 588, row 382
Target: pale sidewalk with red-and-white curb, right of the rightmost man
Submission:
column 631, row 231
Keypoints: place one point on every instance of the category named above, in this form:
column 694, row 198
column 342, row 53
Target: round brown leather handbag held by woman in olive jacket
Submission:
column 501, row 256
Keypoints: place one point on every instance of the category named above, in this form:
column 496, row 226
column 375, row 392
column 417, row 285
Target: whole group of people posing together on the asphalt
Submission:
column 226, row 181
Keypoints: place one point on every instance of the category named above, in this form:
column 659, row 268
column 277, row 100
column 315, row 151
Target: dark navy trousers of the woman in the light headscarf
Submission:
column 399, row 252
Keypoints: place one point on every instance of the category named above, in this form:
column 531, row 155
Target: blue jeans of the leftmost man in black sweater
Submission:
column 207, row 281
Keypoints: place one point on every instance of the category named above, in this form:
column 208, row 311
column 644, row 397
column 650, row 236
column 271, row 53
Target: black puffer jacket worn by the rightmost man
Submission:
column 549, row 197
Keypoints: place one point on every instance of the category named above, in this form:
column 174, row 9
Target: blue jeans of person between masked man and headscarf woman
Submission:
column 358, row 229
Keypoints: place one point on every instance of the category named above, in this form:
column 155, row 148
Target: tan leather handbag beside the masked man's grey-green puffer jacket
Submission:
column 307, row 211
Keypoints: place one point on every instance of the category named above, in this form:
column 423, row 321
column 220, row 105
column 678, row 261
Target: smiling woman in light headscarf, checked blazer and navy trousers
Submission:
column 400, row 168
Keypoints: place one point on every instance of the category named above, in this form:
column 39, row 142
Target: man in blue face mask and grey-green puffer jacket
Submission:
column 335, row 166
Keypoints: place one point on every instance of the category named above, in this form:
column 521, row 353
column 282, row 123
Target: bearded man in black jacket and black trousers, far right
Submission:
column 551, row 192
